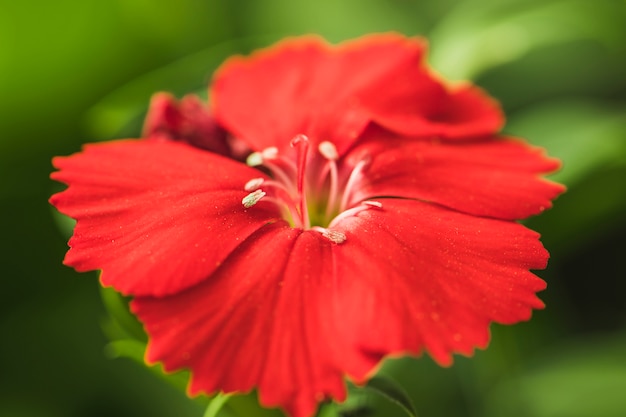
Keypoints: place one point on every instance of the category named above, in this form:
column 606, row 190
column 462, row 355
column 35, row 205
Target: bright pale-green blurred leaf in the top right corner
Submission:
column 478, row 35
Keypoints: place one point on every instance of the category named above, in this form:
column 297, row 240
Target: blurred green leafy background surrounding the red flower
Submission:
column 80, row 71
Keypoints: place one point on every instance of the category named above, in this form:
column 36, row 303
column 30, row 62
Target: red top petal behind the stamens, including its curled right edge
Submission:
column 305, row 86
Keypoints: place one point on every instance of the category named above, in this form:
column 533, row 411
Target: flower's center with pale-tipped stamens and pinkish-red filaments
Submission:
column 311, row 192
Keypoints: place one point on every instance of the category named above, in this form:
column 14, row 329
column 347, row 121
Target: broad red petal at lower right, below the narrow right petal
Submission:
column 414, row 276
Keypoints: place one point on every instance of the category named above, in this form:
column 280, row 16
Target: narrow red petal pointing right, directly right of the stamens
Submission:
column 495, row 178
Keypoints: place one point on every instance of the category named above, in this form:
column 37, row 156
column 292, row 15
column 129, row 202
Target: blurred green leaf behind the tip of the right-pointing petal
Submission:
column 589, row 138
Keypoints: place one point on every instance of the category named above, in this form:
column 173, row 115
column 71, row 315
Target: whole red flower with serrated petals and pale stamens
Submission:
column 376, row 216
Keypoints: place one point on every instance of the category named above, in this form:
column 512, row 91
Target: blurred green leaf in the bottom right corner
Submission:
column 578, row 379
